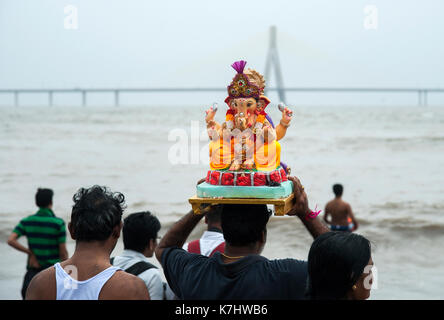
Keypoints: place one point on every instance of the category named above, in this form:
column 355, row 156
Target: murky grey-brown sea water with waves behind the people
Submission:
column 389, row 160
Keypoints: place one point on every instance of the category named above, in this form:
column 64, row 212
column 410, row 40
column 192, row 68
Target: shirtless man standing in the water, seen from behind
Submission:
column 342, row 218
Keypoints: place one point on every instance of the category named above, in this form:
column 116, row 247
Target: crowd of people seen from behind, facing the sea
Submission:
column 225, row 263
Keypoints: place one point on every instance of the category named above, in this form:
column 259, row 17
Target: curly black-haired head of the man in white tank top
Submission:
column 96, row 212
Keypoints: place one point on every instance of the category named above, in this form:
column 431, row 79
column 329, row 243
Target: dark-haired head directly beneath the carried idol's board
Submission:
column 243, row 224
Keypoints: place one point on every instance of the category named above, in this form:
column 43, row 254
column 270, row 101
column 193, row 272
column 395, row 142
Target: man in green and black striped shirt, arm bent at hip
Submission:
column 46, row 236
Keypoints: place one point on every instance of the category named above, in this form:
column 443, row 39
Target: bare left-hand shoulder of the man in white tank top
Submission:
column 42, row 286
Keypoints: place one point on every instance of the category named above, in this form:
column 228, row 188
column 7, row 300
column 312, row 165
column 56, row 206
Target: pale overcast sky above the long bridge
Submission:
column 141, row 43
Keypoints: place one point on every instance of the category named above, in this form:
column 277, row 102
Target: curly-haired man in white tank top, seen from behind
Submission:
column 96, row 222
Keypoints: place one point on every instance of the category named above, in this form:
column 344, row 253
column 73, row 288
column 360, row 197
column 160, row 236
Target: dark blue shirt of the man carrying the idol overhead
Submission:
column 195, row 277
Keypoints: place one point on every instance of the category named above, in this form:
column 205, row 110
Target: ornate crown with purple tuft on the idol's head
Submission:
column 240, row 87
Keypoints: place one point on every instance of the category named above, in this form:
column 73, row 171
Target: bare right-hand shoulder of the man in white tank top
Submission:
column 124, row 286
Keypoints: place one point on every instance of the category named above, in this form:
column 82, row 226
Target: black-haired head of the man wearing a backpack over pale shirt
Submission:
column 138, row 229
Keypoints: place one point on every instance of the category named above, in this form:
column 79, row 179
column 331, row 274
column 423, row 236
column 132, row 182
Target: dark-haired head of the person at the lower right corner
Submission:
column 335, row 262
